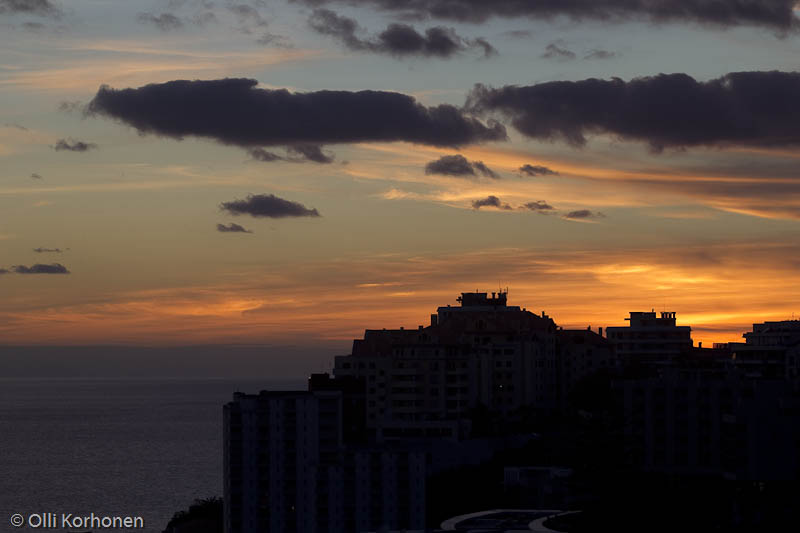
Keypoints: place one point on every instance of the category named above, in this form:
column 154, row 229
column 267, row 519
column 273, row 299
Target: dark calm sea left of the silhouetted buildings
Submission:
column 129, row 447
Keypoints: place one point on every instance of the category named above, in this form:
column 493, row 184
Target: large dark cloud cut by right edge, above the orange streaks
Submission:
column 665, row 111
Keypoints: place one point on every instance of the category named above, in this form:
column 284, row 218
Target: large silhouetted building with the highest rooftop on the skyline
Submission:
column 422, row 383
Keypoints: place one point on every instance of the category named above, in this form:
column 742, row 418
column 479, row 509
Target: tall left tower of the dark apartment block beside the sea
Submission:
column 282, row 462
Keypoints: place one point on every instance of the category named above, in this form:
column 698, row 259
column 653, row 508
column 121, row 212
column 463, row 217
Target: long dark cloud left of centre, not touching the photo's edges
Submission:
column 235, row 111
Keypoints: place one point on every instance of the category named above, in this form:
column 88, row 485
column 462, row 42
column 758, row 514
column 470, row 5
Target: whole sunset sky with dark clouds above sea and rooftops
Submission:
column 292, row 172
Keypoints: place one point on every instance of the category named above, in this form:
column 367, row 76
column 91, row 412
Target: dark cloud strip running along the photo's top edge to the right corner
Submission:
column 775, row 14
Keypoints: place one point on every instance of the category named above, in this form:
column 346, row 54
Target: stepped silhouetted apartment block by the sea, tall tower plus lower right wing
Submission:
column 287, row 469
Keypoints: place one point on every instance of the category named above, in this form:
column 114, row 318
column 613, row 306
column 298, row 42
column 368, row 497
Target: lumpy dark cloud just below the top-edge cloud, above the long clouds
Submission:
column 397, row 39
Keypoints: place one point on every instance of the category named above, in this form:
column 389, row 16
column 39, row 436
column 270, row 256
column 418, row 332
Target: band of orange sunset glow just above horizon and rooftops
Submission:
column 720, row 292
